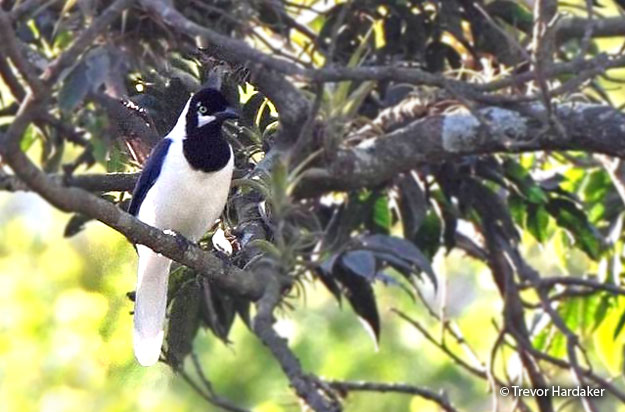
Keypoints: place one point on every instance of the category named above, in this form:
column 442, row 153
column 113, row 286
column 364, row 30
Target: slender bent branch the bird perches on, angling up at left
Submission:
column 71, row 199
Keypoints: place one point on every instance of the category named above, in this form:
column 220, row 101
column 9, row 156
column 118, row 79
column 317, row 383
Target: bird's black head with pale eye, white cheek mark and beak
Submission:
column 208, row 107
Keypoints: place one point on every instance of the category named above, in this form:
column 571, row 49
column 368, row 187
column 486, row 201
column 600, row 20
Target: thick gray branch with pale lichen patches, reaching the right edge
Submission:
column 589, row 127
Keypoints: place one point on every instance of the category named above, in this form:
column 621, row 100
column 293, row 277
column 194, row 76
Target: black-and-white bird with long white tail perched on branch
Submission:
column 183, row 188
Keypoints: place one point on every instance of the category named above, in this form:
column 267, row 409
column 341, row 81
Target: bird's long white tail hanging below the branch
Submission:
column 150, row 305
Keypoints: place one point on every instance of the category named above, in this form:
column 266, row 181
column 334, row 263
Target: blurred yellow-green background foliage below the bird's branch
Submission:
column 65, row 331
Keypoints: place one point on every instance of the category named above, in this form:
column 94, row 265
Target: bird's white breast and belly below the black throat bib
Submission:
column 185, row 200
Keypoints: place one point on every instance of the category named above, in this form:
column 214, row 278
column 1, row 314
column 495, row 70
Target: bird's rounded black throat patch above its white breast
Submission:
column 206, row 149
